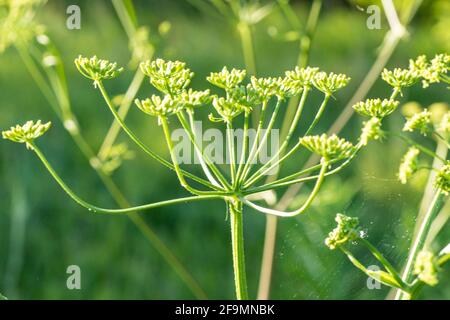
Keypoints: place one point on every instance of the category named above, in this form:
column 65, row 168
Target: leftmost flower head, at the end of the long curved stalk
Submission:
column 27, row 132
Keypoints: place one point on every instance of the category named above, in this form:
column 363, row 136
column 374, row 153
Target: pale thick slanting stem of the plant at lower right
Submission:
column 420, row 238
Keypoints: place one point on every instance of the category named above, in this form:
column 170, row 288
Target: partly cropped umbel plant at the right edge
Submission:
column 423, row 265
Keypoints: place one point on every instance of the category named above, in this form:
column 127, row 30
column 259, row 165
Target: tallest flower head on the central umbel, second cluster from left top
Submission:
column 169, row 77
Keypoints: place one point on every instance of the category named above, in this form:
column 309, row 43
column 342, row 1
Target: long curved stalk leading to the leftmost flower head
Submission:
column 96, row 209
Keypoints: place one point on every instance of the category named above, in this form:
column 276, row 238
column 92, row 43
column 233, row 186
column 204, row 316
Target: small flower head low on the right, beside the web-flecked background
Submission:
column 346, row 230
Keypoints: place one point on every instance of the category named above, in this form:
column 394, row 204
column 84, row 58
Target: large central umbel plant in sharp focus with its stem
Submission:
column 236, row 182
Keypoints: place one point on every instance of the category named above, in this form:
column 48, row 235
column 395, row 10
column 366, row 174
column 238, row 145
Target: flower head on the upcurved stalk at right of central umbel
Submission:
column 331, row 147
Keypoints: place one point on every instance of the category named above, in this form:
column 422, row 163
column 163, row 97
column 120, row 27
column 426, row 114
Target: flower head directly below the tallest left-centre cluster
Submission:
column 157, row 106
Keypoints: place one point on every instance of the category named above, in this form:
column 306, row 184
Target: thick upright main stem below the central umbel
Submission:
column 237, row 244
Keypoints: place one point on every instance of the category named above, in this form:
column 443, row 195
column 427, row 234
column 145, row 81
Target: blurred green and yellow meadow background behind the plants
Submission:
column 42, row 231
